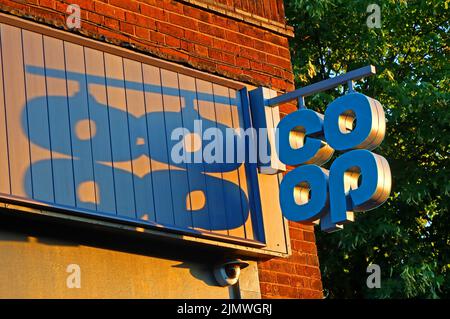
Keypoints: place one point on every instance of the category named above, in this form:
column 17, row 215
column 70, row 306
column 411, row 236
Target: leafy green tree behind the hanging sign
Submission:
column 409, row 236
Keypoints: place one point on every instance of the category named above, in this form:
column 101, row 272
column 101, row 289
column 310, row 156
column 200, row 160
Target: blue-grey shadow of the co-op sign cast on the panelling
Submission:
column 102, row 149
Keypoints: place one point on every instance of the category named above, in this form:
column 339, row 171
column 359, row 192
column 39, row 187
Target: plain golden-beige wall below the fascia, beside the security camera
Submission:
column 34, row 267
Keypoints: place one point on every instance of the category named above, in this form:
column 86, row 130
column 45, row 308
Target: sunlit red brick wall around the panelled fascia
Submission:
column 244, row 40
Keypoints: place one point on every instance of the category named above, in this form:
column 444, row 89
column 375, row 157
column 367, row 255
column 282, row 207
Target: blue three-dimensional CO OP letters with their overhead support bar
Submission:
column 352, row 127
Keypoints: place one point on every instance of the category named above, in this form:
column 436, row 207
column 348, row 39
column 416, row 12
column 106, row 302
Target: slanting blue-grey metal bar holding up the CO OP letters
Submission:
column 323, row 85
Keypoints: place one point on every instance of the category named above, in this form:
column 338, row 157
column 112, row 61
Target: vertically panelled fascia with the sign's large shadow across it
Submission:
column 90, row 130
